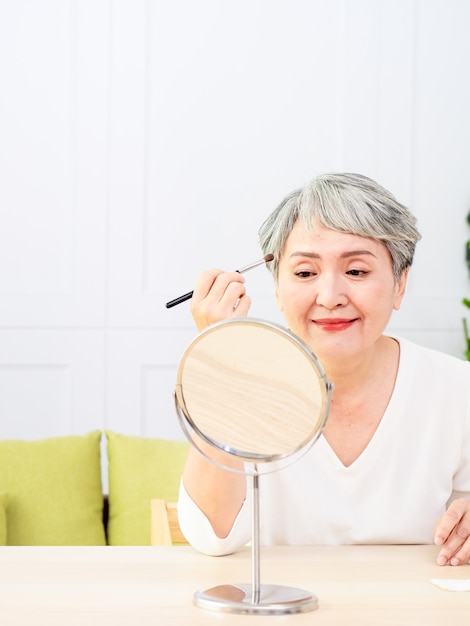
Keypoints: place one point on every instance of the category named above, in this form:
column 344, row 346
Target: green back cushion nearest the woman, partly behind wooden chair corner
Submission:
column 139, row 469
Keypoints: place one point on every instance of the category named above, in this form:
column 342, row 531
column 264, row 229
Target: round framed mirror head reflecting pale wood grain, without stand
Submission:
column 253, row 390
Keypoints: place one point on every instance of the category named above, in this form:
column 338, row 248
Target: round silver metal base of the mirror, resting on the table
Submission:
column 273, row 600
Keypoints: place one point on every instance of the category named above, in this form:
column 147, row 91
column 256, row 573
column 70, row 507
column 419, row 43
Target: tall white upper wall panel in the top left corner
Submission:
column 53, row 155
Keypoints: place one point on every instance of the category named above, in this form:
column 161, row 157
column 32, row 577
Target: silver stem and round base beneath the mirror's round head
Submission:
column 256, row 598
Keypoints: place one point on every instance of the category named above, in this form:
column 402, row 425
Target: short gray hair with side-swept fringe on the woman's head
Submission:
column 346, row 203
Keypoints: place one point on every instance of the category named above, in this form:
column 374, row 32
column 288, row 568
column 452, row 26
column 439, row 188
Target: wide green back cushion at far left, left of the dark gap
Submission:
column 54, row 490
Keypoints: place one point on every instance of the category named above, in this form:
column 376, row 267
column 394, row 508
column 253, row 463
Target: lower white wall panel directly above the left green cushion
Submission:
column 51, row 383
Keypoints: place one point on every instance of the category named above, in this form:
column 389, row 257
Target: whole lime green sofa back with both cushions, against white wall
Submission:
column 51, row 489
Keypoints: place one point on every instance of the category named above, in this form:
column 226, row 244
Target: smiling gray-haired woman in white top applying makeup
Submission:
column 392, row 464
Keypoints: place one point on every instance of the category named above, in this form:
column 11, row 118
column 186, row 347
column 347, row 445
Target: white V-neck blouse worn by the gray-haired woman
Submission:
column 416, row 463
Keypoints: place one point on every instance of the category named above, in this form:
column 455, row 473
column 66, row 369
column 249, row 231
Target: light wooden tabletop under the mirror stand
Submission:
column 363, row 585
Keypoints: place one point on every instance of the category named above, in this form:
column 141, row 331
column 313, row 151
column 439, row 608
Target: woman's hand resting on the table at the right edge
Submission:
column 452, row 532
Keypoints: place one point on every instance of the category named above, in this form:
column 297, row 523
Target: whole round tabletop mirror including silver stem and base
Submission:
column 232, row 371
